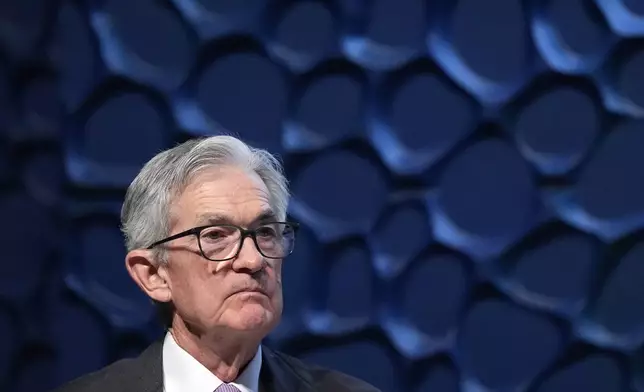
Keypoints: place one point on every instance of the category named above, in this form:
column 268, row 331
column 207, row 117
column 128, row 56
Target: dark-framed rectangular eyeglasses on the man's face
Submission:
column 273, row 240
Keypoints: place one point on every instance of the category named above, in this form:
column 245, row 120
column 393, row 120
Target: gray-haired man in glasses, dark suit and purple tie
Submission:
column 206, row 233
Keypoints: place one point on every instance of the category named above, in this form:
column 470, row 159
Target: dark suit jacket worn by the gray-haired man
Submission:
column 280, row 373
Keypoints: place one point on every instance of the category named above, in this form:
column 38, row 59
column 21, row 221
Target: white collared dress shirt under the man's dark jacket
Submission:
column 181, row 372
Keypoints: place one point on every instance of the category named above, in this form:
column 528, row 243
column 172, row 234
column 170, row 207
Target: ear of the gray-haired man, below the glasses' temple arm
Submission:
column 148, row 274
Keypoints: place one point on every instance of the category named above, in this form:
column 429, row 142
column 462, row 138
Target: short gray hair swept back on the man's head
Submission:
column 145, row 215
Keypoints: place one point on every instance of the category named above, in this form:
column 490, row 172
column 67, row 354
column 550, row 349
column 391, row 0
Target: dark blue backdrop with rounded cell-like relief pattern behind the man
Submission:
column 469, row 175
